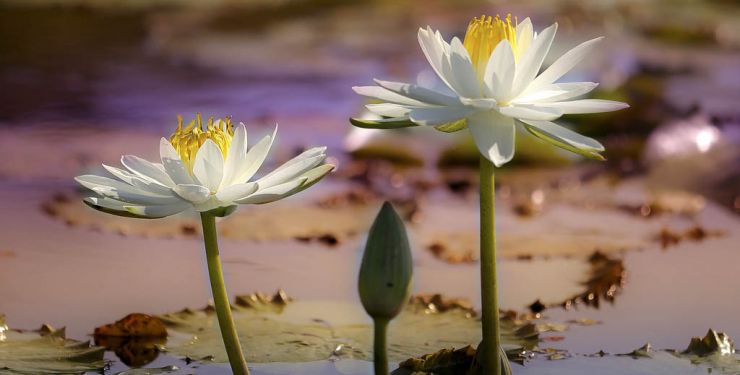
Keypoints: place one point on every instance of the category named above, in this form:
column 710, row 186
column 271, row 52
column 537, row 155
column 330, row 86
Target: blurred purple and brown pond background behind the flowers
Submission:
column 84, row 82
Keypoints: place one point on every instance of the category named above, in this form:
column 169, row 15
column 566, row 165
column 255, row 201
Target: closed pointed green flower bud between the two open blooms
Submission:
column 386, row 269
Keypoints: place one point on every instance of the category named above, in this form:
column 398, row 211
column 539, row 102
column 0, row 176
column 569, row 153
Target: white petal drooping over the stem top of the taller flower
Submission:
column 493, row 135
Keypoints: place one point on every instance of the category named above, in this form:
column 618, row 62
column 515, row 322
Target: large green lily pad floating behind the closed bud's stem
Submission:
column 313, row 331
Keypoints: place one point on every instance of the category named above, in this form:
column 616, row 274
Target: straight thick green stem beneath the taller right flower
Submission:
column 489, row 285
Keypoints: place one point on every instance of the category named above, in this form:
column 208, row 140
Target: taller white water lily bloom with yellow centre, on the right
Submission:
column 493, row 76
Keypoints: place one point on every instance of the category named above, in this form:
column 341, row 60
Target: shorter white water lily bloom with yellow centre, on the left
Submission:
column 208, row 170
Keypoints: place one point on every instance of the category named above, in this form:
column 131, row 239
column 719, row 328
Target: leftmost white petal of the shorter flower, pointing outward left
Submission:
column 121, row 191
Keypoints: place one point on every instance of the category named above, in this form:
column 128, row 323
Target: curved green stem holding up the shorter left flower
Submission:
column 220, row 298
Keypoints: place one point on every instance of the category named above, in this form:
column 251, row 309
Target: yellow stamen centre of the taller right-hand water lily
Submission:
column 483, row 35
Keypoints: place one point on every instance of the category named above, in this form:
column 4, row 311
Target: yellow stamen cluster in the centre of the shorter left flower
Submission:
column 187, row 140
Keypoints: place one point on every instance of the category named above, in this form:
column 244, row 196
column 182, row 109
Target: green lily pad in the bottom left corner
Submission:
column 45, row 351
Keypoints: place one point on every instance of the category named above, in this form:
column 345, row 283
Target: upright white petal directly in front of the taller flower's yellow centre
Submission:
column 500, row 70
